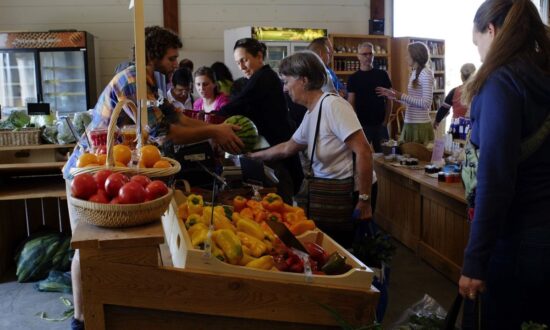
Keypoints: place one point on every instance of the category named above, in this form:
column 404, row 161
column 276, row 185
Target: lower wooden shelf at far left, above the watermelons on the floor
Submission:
column 35, row 187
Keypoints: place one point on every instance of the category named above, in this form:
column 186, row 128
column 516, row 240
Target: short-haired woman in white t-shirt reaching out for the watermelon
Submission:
column 331, row 121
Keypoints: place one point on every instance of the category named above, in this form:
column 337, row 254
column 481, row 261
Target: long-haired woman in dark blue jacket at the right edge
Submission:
column 507, row 259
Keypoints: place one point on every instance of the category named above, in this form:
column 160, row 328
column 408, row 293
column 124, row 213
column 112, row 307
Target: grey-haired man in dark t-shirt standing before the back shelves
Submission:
column 373, row 111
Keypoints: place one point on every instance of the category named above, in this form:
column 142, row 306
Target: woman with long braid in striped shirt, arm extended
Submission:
column 418, row 100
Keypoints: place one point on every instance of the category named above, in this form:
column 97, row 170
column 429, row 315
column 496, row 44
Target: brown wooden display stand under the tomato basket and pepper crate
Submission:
column 127, row 285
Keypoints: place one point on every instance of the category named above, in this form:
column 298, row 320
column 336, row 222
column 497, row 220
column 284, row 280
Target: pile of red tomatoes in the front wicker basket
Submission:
column 116, row 188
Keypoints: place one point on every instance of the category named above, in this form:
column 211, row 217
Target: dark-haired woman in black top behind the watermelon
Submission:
column 262, row 100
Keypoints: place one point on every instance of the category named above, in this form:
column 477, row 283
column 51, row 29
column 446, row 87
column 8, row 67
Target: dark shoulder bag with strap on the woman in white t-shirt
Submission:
column 329, row 202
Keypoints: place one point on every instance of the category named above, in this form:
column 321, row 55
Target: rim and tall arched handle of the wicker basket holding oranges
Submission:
column 109, row 163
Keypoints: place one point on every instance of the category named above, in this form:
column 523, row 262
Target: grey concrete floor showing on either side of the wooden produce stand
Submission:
column 410, row 279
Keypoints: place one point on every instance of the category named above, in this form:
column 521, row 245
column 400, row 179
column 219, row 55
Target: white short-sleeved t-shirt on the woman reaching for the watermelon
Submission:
column 333, row 159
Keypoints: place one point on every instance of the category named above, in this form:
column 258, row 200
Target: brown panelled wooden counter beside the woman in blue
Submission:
column 428, row 216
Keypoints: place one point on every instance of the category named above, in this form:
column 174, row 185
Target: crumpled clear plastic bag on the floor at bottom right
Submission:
column 425, row 314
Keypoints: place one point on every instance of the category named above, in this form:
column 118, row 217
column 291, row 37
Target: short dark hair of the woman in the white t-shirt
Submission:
column 305, row 64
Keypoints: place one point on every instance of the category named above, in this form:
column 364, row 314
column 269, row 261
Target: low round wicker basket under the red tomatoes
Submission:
column 119, row 215
